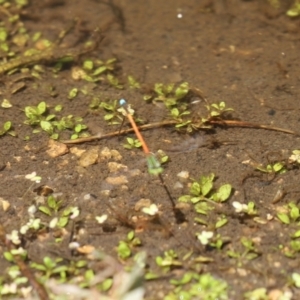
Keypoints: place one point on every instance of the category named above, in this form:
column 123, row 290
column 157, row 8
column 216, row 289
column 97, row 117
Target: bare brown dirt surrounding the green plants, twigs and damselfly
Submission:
column 241, row 52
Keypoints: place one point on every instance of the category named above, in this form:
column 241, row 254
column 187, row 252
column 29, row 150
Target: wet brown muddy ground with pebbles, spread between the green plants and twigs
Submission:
column 245, row 53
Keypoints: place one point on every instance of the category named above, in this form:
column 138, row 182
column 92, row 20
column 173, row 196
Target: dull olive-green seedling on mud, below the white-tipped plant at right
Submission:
column 249, row 252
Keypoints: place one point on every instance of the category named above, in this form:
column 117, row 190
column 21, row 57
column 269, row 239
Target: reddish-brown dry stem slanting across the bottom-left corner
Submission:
column 40, row 289
